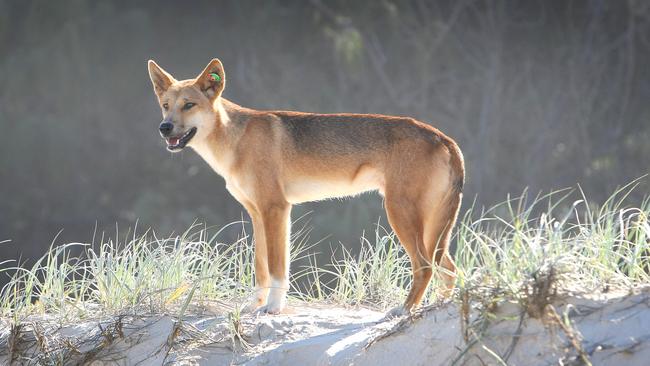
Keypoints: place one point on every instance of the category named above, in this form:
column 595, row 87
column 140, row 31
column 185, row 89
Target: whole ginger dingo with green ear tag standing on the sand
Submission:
column 273, row 159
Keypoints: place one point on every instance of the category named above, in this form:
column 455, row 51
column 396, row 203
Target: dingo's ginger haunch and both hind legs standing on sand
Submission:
column 422, row 207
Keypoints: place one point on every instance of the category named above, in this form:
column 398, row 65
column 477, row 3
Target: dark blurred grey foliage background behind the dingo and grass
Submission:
column 539, row 94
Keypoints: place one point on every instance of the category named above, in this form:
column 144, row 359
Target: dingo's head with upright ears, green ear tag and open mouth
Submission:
column 189, row 107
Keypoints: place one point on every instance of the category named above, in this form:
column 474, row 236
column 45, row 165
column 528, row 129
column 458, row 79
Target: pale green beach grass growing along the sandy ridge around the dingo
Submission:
column 525, row 250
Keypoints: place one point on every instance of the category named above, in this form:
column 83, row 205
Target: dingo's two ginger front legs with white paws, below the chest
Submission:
column 276, row 218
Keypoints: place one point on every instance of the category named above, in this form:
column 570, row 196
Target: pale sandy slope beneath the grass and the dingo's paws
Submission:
column 614, row 330
